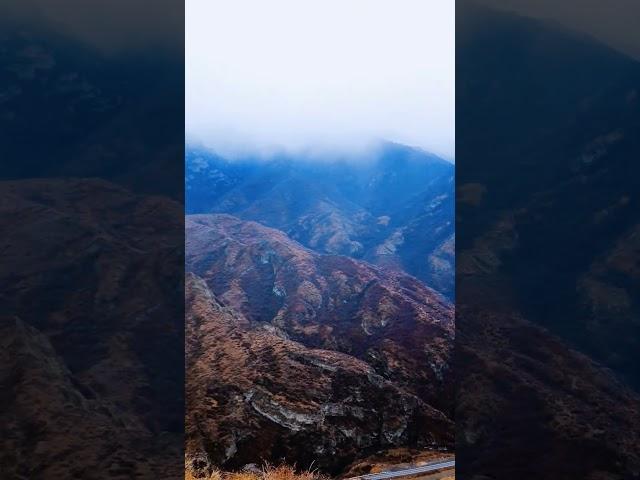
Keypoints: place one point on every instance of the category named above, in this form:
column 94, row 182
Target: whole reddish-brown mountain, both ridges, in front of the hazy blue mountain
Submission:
column 305, row 356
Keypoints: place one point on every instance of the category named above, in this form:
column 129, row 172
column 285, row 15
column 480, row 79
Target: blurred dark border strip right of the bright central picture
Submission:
column 548, row 228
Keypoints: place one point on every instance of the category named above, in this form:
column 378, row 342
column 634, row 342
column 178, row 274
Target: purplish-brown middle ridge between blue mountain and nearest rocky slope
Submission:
column 388, row 319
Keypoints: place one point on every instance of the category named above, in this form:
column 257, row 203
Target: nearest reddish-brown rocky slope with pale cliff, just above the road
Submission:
column 254, row 396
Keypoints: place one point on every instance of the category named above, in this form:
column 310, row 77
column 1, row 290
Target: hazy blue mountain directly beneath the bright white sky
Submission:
column 394, row 207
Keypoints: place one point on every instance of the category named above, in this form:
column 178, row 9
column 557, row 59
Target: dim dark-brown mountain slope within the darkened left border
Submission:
column 92, row 331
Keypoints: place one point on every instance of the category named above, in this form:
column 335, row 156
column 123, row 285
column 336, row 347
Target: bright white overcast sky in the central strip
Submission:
column 331, row 74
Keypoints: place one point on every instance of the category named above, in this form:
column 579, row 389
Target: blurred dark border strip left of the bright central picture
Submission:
column 91, row 208
